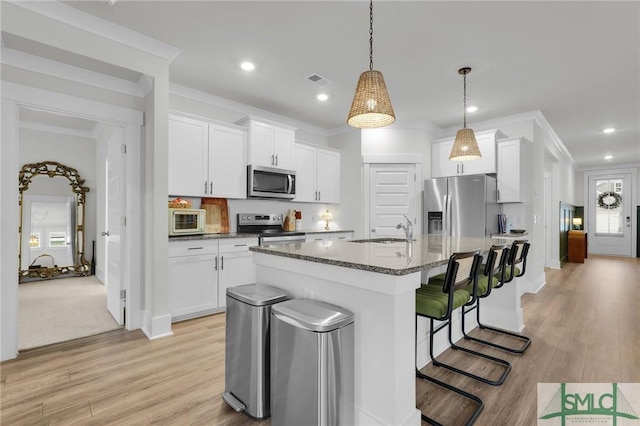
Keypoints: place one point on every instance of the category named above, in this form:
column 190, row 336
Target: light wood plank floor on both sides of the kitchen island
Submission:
column 585, row 325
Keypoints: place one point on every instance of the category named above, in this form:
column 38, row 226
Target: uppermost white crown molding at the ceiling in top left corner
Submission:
column 76, row 18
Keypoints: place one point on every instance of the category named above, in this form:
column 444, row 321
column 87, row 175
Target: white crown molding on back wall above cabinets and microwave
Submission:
column 242, row 109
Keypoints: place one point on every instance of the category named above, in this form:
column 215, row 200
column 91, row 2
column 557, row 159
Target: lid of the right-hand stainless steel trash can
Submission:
column 313, row 315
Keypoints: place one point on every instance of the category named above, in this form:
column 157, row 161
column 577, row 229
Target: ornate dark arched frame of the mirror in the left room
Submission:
column 54, row 169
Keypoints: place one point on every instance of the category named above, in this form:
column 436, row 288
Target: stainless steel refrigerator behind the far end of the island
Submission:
column 461, row 206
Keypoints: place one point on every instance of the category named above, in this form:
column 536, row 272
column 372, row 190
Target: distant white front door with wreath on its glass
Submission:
column 609, row 201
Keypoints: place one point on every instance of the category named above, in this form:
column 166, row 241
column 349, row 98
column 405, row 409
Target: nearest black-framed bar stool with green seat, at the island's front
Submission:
column 437, row 303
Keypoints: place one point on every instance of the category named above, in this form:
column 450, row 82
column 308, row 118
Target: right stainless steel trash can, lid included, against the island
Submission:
column 312, row 370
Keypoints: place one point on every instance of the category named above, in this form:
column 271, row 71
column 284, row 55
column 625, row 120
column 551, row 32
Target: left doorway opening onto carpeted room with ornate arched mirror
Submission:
column 76, row 142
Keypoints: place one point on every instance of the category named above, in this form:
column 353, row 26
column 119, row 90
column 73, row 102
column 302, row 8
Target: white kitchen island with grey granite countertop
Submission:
column 376, row 280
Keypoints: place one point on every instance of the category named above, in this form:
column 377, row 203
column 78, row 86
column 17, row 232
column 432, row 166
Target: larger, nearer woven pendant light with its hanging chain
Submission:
column 371, row 106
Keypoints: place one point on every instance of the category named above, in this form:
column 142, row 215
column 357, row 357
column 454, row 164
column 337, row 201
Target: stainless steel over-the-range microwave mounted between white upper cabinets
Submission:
column 269, row 182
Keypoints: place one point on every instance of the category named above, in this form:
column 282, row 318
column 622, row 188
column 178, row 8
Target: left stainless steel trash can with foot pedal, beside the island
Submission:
column 247, row 347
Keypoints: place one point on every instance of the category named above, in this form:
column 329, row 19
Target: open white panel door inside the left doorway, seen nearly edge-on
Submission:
column 114, row 234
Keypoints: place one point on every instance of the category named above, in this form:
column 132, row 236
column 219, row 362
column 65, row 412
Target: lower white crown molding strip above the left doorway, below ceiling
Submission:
column 45, row 66
